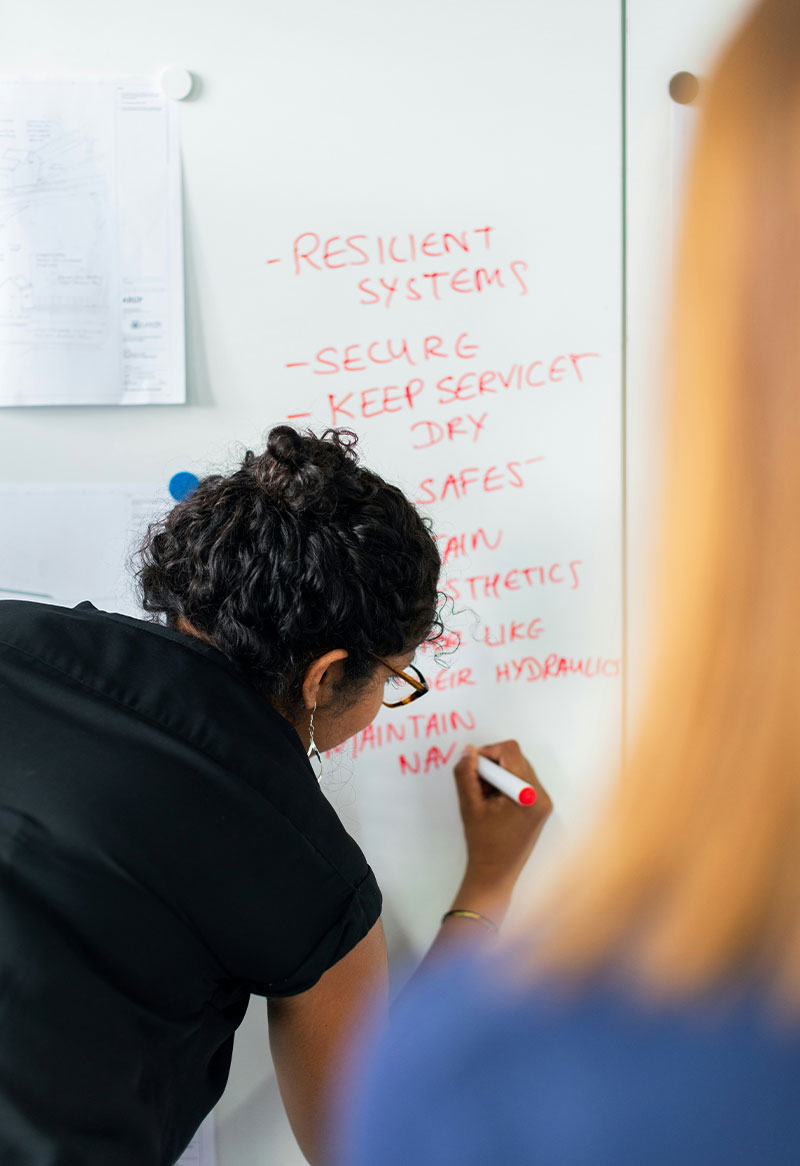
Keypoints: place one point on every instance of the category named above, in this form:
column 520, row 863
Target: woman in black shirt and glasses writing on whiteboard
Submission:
column 166, row 848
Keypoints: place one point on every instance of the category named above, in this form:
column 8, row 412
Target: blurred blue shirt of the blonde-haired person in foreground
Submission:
column 474, row 1073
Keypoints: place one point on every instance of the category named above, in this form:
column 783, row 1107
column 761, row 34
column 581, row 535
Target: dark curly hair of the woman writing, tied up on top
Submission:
column 298, row 552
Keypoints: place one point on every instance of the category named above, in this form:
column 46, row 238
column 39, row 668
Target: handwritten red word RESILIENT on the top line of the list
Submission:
column 311, row 252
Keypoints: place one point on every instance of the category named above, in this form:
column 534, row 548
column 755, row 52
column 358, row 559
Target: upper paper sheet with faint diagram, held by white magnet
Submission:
column 92, row 256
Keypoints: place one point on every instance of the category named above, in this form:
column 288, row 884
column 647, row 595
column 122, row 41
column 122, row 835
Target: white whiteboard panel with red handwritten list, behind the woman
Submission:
column 486, row 138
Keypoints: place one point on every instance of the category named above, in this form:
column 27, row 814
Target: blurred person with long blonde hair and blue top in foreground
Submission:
column 652, row 1016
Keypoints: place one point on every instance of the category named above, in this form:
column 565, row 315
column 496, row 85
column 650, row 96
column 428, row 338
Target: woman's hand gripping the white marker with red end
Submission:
column 501, row 834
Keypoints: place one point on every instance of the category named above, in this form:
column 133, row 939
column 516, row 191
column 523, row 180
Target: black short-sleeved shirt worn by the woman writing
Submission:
column 165, row 852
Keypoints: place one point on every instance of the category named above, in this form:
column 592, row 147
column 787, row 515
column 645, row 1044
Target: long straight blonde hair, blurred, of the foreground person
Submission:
column 693, row 876
